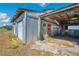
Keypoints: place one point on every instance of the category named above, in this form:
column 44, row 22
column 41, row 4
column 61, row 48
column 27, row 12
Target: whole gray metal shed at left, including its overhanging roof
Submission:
column 26, row 25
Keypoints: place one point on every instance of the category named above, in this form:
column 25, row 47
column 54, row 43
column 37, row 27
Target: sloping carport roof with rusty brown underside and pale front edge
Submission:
column 62, row 15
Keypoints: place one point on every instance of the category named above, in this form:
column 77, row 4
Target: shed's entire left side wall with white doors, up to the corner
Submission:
column 18, row 27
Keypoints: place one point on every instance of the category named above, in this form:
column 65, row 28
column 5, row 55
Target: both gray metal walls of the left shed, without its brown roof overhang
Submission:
column 26, row 28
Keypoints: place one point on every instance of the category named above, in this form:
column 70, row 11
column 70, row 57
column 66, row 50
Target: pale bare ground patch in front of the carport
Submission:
column 57, row 47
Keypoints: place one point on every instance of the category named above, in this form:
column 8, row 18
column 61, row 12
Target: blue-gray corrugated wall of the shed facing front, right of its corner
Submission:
column 32, row 29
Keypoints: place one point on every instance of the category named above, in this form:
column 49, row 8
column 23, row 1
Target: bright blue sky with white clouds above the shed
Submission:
column 7, row 10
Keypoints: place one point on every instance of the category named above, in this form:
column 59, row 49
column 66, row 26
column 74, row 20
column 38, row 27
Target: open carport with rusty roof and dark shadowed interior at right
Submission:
column 66, row 18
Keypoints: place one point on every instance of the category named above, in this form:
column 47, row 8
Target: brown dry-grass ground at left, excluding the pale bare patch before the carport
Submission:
column 22, row 50
